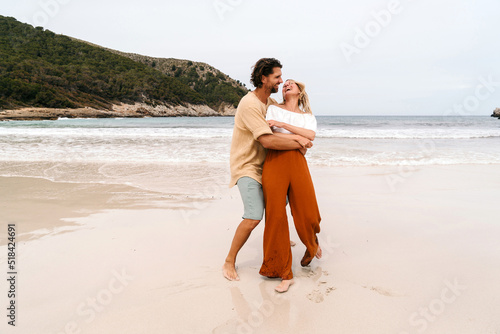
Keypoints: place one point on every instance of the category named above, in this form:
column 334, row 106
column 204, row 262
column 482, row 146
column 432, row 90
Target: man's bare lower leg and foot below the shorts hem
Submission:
column 240, row 237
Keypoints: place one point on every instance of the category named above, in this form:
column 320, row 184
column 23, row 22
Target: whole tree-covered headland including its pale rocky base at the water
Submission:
column 45, row 75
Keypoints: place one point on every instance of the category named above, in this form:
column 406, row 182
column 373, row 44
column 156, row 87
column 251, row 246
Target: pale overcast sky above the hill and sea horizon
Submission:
column 356, row 57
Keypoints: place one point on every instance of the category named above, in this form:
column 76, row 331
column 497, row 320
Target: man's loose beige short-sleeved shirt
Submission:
column 247, row 154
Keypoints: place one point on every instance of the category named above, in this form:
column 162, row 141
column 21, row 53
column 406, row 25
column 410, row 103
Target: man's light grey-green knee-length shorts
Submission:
column 253, row 198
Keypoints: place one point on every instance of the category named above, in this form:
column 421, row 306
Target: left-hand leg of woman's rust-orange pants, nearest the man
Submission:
column 275, row 182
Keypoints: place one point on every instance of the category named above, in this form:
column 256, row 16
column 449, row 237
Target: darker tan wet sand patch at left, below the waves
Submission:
column 53, row 205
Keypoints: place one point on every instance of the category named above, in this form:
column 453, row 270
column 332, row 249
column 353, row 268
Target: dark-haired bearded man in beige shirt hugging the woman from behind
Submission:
column 251, row 137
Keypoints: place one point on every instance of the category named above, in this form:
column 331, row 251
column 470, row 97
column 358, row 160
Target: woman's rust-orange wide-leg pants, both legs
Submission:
column 286, row 173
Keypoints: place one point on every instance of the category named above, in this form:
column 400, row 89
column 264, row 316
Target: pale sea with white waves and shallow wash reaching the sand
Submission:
column 163, row 154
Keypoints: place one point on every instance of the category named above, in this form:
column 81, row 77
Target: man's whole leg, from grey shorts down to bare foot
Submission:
column 253, row 202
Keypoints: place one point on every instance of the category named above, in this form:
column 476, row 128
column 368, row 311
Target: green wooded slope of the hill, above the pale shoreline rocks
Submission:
column 41, row 69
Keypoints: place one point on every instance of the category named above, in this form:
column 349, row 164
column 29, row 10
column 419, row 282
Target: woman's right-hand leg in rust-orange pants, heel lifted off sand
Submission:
column 304, row 207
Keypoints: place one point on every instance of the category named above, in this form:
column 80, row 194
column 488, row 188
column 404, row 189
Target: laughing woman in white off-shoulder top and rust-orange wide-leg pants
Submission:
column 286, row 173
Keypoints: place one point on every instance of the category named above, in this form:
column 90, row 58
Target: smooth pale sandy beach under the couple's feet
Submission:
column 405, row 251
